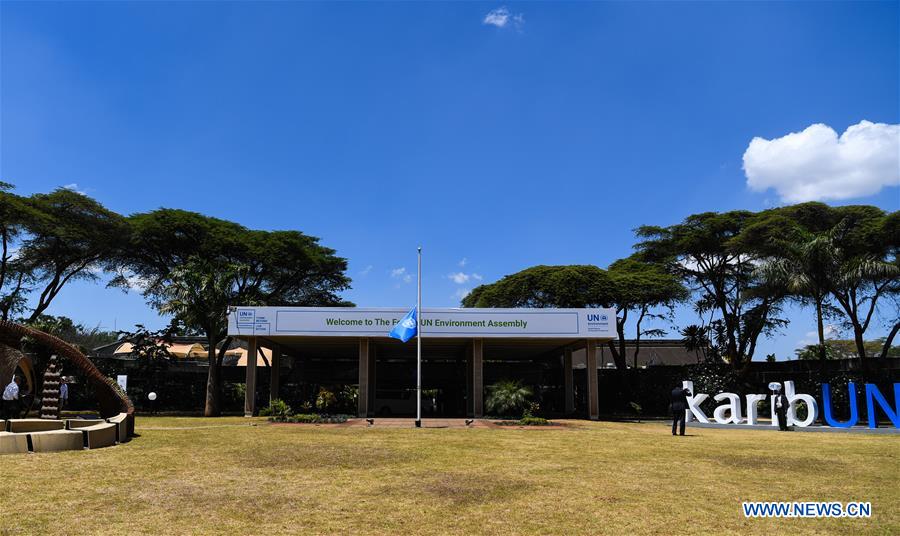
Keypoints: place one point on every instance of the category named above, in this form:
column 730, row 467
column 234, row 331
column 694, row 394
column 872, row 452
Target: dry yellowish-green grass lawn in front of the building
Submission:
column 193, row 475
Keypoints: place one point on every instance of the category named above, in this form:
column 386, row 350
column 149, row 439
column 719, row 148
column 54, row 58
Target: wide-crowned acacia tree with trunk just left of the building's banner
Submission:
column 194, row 267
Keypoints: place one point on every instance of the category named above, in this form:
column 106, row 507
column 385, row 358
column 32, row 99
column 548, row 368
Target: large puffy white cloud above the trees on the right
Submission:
column 816, row 164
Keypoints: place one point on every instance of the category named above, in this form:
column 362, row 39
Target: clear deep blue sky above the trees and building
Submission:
column 497, row 136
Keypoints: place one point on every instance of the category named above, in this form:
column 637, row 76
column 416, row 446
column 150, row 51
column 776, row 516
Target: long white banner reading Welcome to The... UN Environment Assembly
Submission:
column 361, row 322
